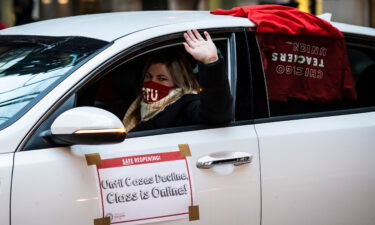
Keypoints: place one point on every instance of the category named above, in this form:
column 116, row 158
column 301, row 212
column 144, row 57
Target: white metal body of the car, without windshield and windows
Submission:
column 313, row 168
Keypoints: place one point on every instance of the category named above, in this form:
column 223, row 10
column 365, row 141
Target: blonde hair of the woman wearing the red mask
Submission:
column 179, row 68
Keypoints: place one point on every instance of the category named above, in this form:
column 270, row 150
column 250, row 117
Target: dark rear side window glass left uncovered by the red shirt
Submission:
column 361, row 55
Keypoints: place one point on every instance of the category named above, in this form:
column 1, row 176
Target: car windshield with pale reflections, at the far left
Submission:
column 29, row 69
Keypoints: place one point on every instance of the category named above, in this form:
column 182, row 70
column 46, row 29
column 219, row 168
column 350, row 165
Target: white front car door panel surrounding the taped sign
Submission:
column 55, row 185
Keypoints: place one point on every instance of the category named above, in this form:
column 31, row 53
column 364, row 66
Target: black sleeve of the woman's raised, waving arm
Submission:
column 215, row 105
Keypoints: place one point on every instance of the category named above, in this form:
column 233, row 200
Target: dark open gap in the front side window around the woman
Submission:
column 116, row 90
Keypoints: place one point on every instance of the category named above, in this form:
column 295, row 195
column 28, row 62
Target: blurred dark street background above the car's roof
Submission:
column 15, row 12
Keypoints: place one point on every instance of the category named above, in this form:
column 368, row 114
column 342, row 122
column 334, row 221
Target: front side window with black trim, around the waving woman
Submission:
column 115, row 86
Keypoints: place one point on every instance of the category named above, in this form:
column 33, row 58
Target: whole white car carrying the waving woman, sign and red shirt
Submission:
column 301, row 165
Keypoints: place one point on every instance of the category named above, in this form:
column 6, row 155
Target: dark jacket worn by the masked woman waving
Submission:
column 213, row 105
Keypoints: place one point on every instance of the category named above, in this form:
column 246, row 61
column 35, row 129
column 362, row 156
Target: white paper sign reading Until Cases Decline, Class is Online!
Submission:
column 145, row 188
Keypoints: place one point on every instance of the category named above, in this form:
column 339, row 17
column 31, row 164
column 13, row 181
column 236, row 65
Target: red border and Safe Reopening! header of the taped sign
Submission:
column 154, row 158
